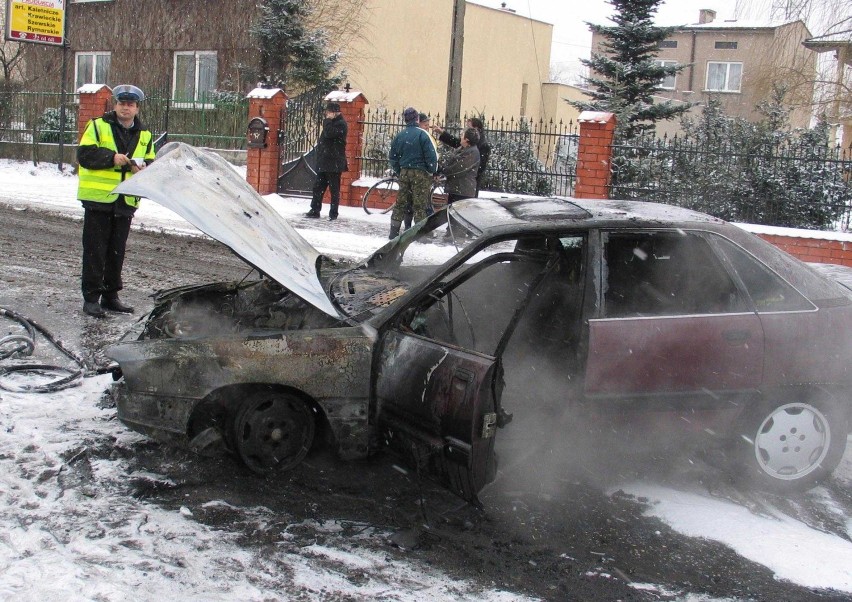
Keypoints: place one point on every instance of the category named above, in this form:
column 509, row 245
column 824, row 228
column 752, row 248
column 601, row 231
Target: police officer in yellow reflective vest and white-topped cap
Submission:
column 112, row 148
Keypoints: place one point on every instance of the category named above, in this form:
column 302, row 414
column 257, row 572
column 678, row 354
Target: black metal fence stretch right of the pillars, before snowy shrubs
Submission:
column 798, row 183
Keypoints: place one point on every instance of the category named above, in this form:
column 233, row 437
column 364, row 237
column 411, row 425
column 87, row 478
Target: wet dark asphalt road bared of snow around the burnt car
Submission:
column 550, row 538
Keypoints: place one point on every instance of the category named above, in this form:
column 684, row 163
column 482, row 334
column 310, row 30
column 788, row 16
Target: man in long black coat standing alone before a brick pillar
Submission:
column 331, row 161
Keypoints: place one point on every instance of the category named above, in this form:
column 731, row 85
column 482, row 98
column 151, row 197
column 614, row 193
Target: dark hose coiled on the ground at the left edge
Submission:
column 19, row 346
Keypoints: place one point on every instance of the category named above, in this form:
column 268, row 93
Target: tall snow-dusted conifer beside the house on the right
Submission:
column 624, row 77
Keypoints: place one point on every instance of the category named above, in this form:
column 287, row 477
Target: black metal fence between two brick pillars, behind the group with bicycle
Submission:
column 526, row 156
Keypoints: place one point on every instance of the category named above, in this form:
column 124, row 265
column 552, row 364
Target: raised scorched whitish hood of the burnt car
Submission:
column 205, row 190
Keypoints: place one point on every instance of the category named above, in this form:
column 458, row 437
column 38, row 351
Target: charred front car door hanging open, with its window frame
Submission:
column 439, row 373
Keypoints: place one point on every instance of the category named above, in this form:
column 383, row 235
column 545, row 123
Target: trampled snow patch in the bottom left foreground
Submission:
column 63, row 540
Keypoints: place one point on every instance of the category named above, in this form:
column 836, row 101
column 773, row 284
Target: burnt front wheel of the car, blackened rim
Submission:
column 273, row 431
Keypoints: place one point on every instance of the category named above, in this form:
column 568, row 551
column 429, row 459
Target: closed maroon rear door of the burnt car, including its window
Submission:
column 673, row 322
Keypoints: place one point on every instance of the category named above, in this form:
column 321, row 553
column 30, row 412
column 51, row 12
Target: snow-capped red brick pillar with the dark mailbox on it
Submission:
column 262, row 163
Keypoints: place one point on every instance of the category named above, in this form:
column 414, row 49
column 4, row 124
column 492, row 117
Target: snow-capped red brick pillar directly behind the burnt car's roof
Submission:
column 594, row 156
